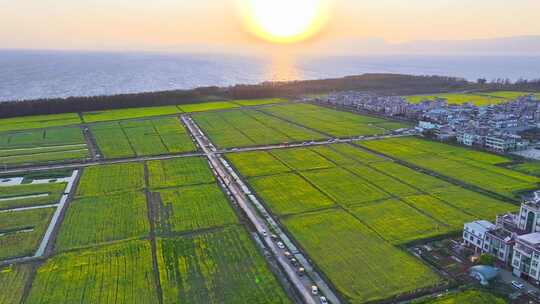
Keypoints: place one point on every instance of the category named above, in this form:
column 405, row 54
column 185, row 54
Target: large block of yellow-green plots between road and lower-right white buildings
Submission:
column 344, row 197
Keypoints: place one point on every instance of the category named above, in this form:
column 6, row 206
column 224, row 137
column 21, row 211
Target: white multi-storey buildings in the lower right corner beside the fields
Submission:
column 514, row 239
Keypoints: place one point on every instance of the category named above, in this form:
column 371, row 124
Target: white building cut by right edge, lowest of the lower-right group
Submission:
column 527, row 256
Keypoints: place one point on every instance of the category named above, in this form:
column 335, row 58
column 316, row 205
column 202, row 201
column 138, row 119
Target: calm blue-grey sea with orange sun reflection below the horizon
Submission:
column 50, row 74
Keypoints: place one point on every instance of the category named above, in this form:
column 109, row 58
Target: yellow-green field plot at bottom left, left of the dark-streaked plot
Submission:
column 120, row 273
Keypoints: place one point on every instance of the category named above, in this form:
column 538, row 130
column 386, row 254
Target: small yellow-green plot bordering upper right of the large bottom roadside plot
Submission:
column 397, row 222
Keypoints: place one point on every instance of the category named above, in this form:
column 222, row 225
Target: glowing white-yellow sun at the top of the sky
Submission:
column 285, row 21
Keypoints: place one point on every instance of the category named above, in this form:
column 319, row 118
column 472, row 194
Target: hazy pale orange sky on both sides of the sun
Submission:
column 170, row 24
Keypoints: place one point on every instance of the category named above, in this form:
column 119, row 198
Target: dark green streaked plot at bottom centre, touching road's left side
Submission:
column 220, row 267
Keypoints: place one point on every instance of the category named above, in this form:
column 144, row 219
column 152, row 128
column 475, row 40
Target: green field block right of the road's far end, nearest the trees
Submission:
column 241, row 128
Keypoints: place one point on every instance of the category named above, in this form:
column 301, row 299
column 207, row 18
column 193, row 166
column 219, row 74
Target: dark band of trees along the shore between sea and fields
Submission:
column 392, row 84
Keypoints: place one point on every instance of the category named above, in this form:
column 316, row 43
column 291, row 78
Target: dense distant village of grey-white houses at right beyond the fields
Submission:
column 493, row 127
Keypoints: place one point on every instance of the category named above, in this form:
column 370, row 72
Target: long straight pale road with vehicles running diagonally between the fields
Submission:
column 237, row 190
